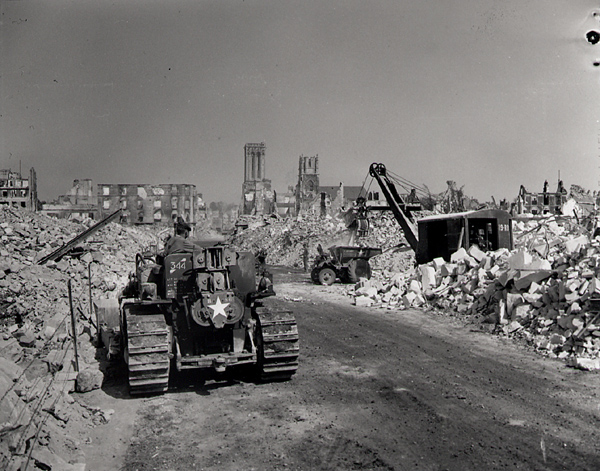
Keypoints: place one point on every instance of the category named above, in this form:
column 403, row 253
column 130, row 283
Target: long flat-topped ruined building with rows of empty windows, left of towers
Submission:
column 150, row 204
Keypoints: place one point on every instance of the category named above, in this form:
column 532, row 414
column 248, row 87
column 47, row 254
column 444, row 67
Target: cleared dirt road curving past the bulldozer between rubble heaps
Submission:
column 376, row 389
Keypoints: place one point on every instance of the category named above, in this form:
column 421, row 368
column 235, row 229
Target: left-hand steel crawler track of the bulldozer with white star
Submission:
column 147, row 351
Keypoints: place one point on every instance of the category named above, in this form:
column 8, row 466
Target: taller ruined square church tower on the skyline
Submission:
column 257, row 196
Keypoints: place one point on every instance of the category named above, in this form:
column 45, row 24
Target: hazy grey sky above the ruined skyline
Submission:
column 491, row 94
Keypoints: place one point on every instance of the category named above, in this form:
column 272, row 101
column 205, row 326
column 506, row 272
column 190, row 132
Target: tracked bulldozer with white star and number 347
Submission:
column 208, row 309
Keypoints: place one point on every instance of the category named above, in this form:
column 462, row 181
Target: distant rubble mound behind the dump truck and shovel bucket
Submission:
column 283, row 240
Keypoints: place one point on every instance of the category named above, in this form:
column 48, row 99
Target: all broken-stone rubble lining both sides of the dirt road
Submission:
column 543, row 292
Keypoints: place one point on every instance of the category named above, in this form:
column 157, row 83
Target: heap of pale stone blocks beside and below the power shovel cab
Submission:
column 546, row 290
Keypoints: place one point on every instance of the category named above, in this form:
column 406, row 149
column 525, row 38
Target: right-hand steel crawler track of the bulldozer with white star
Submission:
column 278, row 354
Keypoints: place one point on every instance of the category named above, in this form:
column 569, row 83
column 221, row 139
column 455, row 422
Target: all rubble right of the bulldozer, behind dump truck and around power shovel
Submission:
column 542, row 291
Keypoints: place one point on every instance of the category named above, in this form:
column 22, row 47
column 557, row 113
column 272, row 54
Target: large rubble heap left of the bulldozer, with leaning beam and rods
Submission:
column 37, row 364
